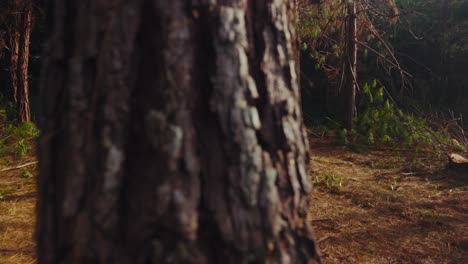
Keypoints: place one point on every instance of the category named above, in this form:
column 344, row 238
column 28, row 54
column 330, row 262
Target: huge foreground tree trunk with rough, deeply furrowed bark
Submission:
column 172, row 133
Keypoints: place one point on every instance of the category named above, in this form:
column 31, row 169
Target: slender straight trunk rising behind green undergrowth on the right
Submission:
column 350, row 67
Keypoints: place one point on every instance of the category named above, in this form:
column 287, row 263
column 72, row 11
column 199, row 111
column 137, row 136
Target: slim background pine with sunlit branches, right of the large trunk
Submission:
column 332, row 31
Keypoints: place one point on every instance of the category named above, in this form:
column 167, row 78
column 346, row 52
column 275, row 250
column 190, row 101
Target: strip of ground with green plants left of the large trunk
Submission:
column 17, row 192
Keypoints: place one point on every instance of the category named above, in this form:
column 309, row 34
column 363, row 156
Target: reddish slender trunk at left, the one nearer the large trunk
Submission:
column 22, row 91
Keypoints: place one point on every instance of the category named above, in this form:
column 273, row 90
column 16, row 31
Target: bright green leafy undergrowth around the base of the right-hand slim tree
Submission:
column 380, row 121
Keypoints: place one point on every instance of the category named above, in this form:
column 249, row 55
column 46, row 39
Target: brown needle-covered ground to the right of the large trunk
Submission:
column 393, row 207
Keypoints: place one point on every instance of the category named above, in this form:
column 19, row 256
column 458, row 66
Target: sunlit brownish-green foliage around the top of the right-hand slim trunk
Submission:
column 323, row 31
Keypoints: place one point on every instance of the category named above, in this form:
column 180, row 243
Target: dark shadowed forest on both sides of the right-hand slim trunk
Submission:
column 427, row 39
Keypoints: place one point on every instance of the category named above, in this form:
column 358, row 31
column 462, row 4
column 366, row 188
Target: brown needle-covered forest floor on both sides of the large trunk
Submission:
column 369, row 205
